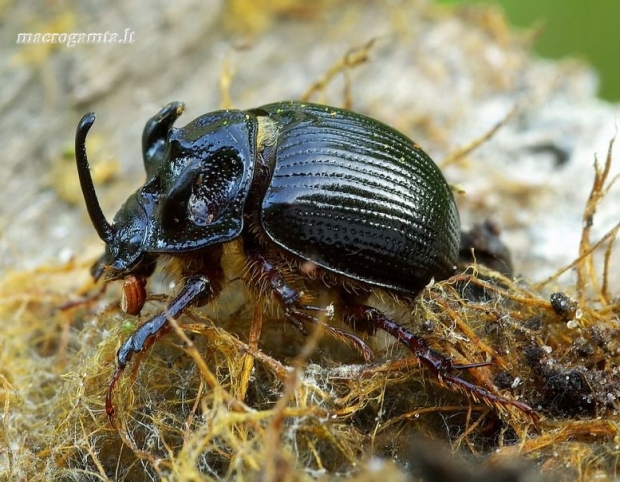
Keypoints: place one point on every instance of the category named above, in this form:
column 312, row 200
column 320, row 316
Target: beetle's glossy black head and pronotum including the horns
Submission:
column 198, row 180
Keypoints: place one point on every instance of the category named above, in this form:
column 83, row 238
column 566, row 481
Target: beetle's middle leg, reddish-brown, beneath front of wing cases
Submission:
column 296, row 312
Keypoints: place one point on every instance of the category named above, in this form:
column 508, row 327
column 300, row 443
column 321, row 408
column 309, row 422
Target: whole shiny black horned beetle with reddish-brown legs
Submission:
column 297, row 185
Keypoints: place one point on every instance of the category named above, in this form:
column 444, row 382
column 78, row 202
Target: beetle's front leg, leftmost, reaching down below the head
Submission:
column 197, row 290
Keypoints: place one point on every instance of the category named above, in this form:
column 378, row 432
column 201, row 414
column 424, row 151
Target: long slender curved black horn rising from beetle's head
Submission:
column 104, row 229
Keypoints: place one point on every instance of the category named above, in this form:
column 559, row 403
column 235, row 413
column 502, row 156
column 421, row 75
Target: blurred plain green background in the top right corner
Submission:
column 578, row 28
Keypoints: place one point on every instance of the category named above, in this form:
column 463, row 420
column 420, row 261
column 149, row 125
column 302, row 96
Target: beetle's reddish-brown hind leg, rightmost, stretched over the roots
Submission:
column 368, row 319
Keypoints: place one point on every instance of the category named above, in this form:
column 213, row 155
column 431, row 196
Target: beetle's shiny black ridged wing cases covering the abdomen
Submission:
column 358, row 198
